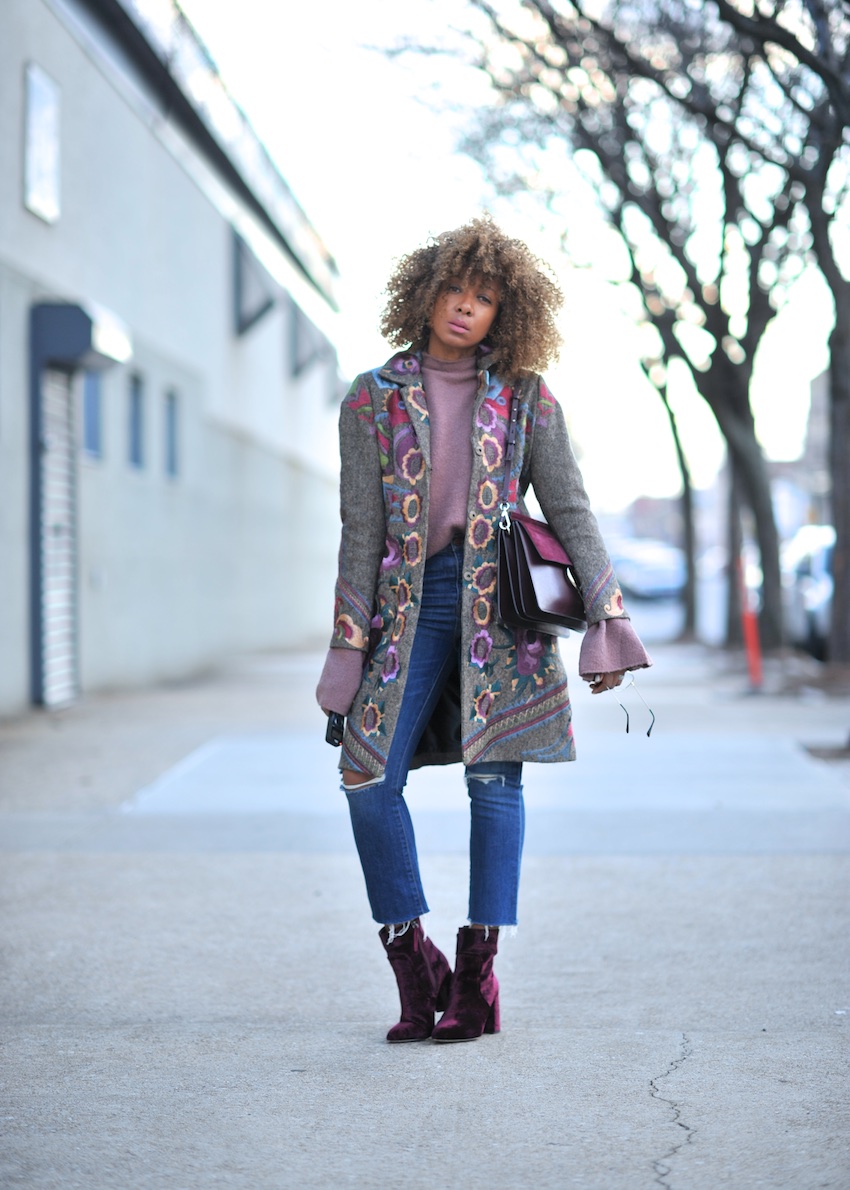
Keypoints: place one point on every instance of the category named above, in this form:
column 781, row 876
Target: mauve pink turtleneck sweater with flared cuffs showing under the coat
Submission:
column 451, row 390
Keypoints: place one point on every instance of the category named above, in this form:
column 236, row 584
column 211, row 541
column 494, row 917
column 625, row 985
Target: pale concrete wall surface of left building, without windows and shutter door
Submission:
column 239, row 550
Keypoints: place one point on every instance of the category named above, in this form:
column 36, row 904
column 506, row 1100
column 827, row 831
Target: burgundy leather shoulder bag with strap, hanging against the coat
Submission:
column 536, row 588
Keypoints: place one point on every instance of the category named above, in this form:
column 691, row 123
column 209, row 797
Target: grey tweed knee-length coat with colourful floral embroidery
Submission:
column 511, row 690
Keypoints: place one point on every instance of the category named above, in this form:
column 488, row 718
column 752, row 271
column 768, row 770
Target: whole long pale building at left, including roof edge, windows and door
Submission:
column 168, row 380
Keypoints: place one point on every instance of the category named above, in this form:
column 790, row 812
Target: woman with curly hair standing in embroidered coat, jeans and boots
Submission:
column 418, row 662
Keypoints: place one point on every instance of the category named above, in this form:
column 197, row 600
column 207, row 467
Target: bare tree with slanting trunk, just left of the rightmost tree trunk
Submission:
column 714, row 233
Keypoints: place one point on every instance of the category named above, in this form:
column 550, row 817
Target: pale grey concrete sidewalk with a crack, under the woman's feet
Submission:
column 193, row 994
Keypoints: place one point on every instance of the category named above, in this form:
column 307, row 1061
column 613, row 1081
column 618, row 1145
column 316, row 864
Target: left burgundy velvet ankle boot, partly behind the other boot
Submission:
column 423, row 975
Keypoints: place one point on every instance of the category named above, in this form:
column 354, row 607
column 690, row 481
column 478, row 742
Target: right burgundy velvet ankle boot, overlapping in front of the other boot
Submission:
column 474, row 1001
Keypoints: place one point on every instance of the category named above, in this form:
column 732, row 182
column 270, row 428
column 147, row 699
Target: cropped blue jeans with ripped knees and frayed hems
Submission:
column 383, row 828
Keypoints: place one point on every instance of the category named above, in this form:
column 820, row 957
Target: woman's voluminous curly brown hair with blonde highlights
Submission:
column 524, row 337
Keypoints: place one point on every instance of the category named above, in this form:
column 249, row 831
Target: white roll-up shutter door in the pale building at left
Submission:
column 57, row 540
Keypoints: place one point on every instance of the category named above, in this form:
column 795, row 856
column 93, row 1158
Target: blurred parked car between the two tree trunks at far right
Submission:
column 808, row 588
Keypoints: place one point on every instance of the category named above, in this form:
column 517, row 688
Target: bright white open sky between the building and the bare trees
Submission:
column 377, row 172
